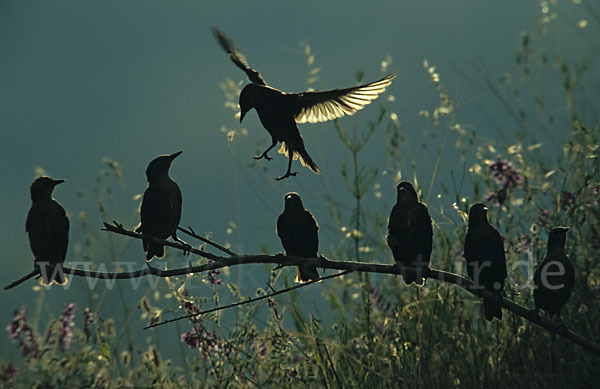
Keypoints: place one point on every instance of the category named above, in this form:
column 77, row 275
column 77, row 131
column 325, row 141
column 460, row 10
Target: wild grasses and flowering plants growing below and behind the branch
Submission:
column 381, row 333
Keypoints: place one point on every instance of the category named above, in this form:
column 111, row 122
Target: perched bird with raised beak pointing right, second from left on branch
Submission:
column 161, row 206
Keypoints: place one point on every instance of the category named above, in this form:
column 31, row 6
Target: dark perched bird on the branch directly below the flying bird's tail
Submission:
column 299, row 234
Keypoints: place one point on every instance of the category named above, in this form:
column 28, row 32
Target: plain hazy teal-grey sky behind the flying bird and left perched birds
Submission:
column 130, row 80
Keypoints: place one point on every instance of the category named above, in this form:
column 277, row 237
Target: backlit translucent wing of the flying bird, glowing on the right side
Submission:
column 320, row 106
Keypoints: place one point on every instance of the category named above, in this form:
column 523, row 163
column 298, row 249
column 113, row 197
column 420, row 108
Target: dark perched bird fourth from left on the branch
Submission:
column 410, row 233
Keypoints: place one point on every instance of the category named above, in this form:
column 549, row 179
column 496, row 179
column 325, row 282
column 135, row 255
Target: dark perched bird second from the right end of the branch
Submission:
column 486, row 262
